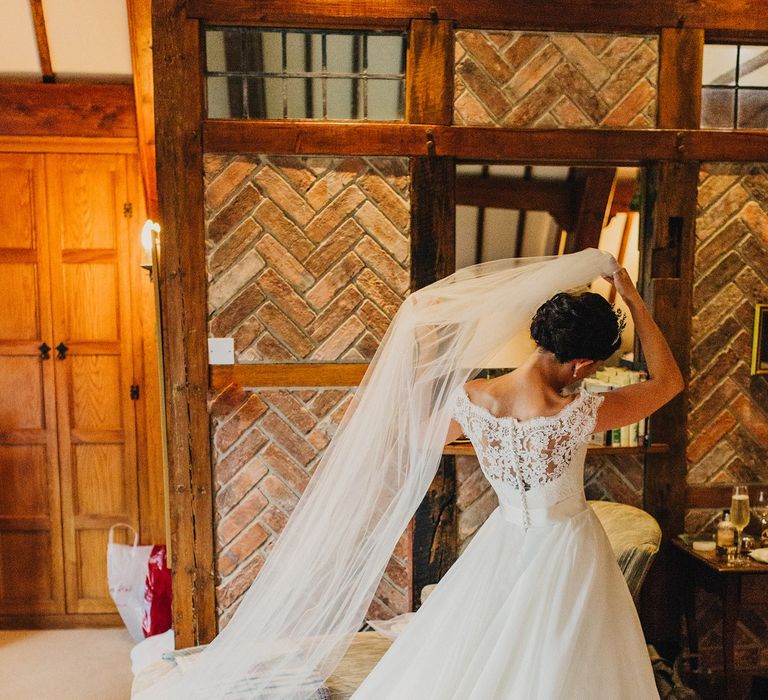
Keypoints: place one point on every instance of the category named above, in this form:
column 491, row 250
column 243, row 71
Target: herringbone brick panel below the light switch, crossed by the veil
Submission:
column 267, row 443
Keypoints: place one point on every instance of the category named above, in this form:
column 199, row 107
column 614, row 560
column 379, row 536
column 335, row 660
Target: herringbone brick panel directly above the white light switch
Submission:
column 308, row 258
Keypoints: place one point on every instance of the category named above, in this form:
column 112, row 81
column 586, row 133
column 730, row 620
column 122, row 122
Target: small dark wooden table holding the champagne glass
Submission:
column 736, row 585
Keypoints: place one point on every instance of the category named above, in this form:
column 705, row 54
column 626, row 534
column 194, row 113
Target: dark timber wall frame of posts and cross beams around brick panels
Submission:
column 672, row 154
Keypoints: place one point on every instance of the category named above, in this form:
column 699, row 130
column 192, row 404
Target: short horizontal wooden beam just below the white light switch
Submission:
column 314, row 374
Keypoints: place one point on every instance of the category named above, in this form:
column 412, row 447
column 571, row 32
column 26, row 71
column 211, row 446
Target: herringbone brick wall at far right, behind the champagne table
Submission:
column 728, row 419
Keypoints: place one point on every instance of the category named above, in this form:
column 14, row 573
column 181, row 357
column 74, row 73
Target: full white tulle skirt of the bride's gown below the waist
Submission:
column 537, row 614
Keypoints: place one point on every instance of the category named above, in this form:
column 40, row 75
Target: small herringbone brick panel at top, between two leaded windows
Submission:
column 555, row 80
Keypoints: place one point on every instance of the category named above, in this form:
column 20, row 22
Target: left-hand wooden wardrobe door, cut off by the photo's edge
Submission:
column 31, row 560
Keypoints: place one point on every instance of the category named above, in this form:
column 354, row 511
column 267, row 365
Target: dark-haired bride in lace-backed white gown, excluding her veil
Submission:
column 536, row 607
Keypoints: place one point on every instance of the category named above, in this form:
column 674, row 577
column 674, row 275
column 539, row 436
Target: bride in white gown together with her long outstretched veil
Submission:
column 536, row 606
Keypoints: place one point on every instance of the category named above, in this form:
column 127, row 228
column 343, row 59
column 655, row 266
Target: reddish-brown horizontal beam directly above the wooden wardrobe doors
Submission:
column 67, row 109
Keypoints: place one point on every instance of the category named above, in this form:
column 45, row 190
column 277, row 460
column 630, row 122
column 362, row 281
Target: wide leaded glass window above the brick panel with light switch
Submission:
column 254, row 73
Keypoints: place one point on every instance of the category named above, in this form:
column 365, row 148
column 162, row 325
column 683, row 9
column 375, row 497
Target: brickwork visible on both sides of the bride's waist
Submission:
column 607, row 478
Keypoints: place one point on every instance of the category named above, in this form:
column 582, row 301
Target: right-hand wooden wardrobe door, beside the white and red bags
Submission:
column 90, row 256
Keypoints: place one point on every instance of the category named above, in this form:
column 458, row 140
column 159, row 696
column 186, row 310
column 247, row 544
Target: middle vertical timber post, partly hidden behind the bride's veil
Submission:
column 429, row 100
